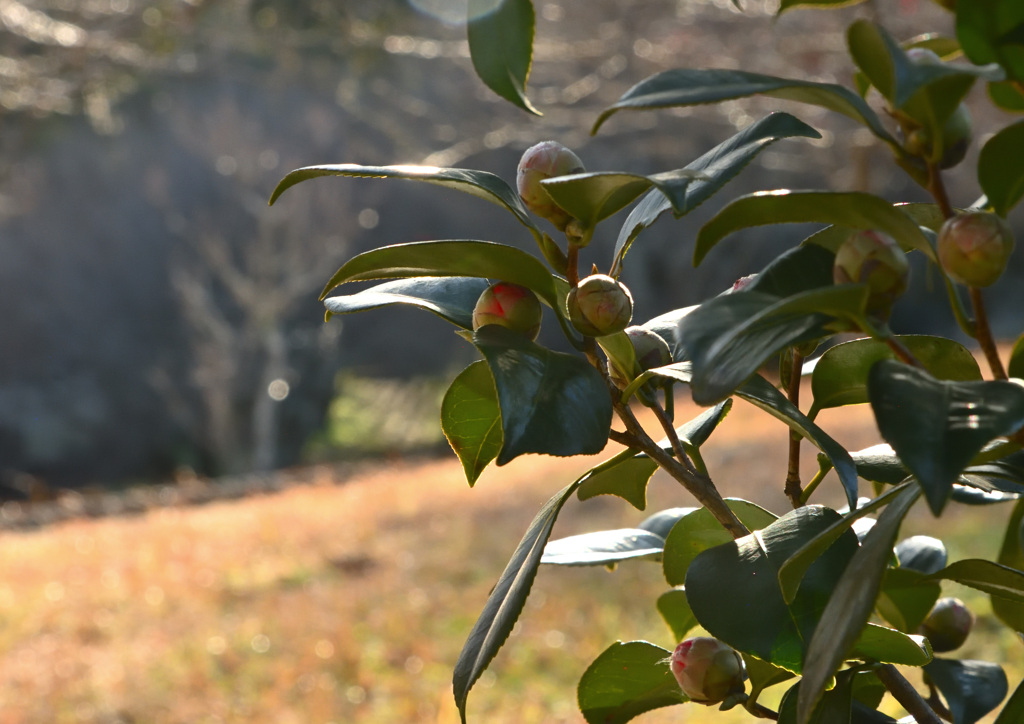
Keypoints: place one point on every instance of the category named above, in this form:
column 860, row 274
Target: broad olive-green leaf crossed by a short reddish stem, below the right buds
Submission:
column 841, row 374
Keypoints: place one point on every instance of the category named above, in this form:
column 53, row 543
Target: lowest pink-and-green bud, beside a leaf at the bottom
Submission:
column 708, row 671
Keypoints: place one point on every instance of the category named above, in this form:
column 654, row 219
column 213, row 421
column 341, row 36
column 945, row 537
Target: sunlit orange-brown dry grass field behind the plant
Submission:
column 349, row 604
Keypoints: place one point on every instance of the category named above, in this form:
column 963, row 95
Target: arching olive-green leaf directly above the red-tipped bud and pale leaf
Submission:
column 451, row 259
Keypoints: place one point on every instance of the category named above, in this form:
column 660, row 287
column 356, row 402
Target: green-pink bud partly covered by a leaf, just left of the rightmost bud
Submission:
column 873, row 259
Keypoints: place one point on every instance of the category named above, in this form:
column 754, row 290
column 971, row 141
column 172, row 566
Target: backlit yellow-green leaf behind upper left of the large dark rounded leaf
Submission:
column 700, row 531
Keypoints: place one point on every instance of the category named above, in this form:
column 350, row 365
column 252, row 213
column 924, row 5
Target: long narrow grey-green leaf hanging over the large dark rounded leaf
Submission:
column 851, row 603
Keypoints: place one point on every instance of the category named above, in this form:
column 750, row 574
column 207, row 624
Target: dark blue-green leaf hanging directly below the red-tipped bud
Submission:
column 551, row 403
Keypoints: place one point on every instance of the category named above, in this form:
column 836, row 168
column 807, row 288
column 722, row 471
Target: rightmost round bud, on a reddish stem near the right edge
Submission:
column 975, row 247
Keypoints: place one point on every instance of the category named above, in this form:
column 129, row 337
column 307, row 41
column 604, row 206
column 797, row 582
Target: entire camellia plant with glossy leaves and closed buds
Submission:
column 825, row 603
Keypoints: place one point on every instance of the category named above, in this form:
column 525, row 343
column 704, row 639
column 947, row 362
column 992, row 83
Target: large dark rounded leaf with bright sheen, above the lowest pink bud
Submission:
column 734, row 588
